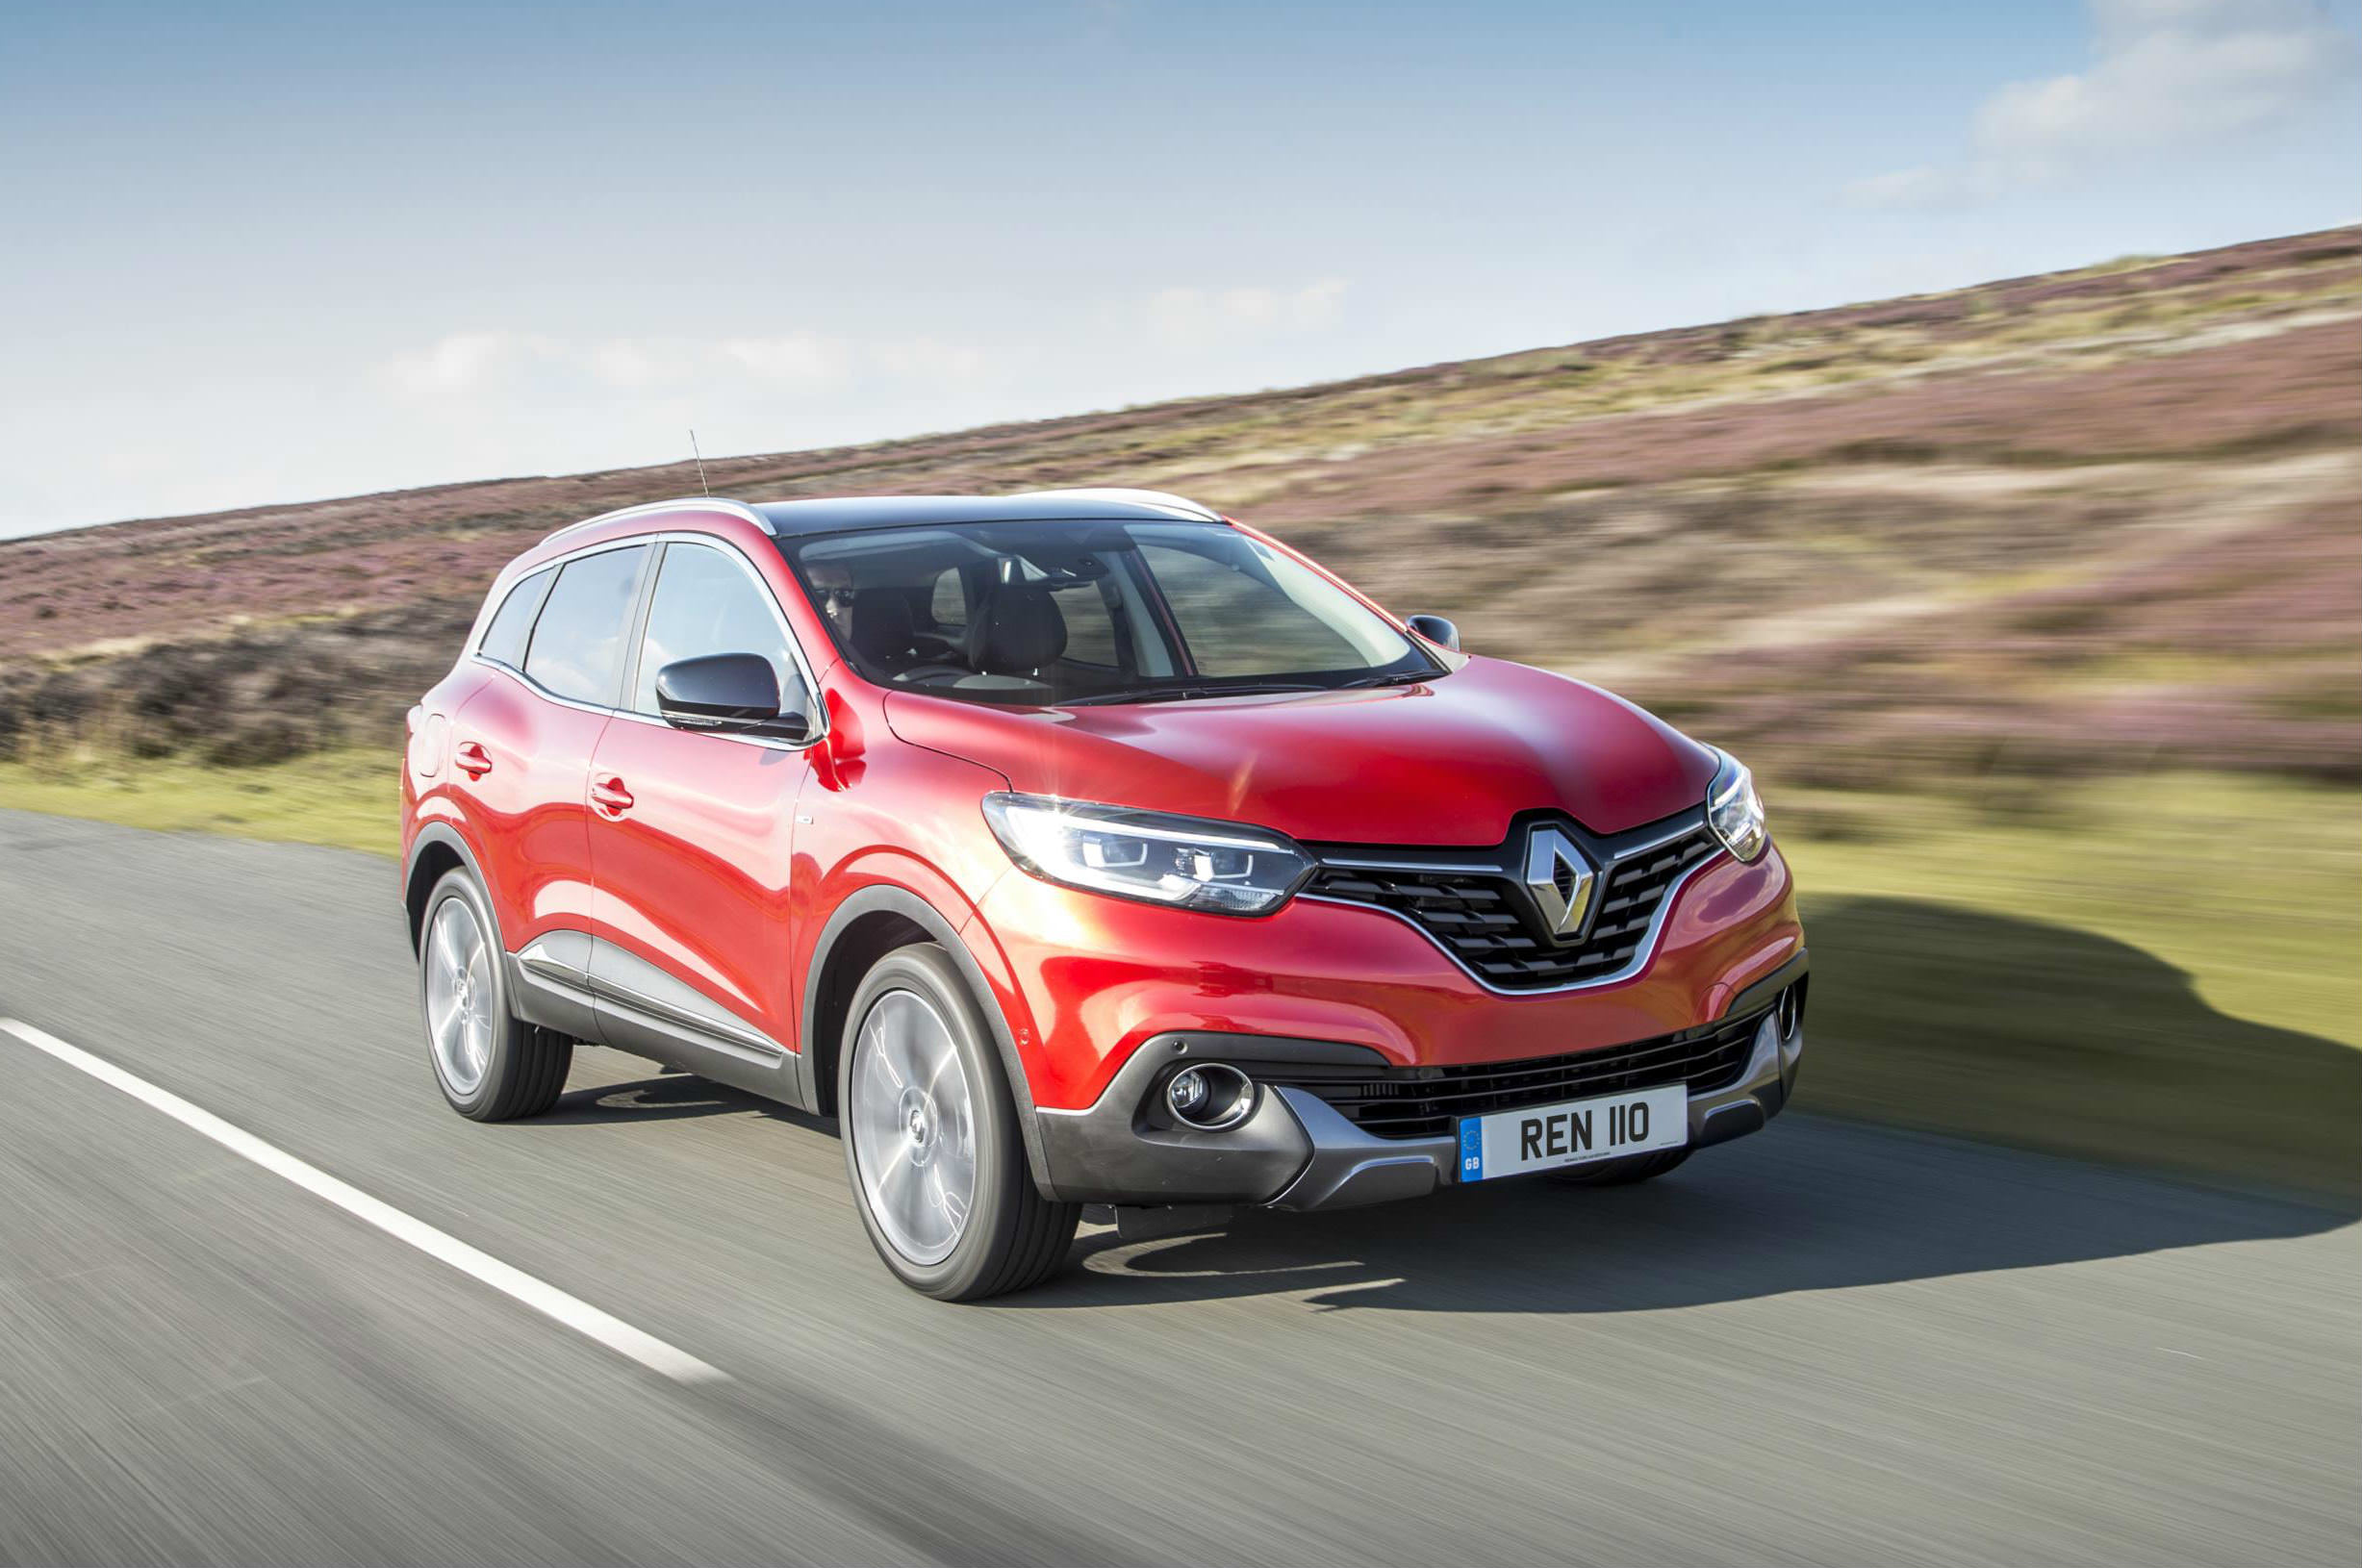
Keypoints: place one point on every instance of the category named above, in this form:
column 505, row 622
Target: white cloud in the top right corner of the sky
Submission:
column 2167, row 74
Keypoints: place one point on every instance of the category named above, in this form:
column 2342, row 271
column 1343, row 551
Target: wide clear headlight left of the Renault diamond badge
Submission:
column 1166, row 861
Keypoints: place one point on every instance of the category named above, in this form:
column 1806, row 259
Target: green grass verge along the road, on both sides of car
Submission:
column 2158, row 972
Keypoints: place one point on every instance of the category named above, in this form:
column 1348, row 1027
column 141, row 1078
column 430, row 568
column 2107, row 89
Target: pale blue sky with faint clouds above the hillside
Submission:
column 263, row 254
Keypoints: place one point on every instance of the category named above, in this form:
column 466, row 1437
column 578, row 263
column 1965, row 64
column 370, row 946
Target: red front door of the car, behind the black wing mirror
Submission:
column 691, row 842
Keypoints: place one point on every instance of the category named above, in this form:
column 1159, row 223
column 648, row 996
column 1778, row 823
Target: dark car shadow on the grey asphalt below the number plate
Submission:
column 1808, row 1206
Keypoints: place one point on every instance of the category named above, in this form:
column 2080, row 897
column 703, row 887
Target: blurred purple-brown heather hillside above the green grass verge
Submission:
column 2068, row 523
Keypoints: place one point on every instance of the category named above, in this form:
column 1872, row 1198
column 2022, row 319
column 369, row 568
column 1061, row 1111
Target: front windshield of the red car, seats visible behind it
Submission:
column 1059, row 613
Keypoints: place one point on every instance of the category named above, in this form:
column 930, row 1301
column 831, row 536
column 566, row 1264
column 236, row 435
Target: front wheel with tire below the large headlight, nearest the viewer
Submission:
column 925, row 1111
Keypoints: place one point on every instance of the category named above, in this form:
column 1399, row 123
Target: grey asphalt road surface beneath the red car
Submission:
column 1825, row 1345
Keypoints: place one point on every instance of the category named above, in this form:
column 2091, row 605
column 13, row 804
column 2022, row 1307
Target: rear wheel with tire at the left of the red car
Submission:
column 518, row 1069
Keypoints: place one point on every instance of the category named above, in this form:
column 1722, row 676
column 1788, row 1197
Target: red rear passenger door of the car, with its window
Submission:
column 521, row 754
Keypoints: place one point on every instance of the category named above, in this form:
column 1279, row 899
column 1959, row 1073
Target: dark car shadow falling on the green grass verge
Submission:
column 2049, row 1035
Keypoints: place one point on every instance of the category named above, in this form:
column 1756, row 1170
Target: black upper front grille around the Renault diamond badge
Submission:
column 1487, row 922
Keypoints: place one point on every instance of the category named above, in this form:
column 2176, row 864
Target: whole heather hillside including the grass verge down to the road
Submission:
column 2037, row 608
